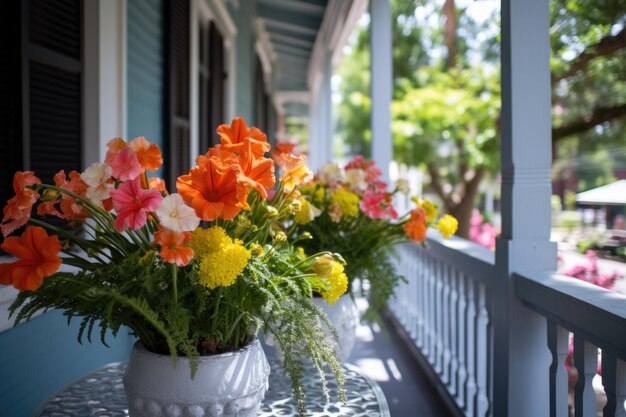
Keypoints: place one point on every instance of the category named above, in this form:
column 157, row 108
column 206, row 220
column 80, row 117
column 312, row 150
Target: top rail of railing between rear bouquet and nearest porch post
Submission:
column 475, row 261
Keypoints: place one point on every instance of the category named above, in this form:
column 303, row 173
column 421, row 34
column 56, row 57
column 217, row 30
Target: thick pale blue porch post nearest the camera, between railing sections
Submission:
column 521, row 355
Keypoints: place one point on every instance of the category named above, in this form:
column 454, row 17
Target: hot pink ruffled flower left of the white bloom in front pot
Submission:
column 132, row 204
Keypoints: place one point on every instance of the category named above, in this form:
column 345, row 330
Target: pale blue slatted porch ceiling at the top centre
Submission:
column 292, row 27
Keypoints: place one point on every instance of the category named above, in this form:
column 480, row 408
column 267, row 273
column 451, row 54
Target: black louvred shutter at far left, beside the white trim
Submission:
column 52, row 59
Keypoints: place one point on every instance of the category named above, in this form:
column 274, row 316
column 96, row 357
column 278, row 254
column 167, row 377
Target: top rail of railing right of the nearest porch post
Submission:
column 596, row 314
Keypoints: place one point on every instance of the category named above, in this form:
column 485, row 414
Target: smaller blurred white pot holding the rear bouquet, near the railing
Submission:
column 344, row 316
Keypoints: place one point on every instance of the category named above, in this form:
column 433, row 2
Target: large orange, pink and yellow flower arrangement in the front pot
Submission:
column 191, row 273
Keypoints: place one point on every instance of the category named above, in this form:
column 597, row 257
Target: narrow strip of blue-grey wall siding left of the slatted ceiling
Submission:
column 244, row 56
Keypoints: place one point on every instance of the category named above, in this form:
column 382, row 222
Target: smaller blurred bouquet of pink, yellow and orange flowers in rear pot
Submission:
column 351, row 211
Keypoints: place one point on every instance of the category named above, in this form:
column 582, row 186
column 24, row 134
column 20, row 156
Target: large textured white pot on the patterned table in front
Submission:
column 229, row 384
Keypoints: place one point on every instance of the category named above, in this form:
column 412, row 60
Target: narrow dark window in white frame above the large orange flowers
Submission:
column 212, row 79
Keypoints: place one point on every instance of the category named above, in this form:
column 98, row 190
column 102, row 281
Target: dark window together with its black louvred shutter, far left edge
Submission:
column 41, row 88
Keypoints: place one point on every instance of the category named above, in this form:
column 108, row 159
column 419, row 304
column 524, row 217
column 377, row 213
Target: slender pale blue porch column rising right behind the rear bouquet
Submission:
column 382, row 83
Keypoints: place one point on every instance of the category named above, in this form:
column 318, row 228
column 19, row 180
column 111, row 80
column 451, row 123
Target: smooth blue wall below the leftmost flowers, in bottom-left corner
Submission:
column 38, row 357
